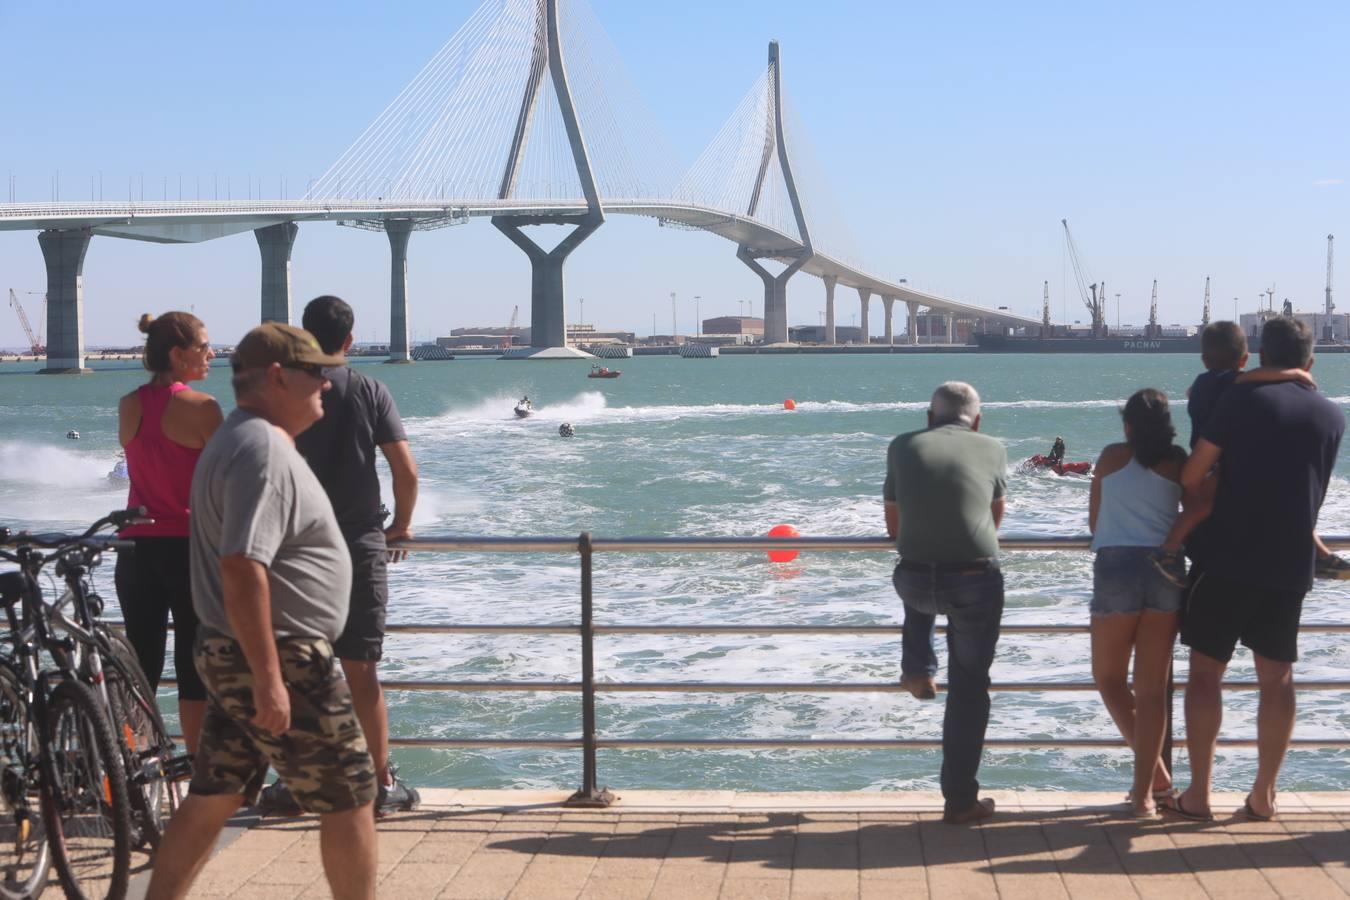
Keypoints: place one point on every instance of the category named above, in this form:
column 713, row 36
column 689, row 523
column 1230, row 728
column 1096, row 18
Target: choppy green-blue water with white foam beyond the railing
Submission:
column 704, row 447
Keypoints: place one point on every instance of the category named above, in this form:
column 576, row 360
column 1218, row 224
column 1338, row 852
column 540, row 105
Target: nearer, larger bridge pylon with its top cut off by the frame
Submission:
column 549, row 326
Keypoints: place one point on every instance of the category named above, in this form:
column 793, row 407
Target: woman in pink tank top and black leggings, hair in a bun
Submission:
column 163, row 427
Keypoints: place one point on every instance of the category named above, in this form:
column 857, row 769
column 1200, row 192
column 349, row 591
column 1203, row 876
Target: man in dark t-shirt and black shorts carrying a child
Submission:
column 1279, row 443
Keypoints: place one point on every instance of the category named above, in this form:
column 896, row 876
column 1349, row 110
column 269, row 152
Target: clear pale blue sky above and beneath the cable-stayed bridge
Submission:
column 1181, row 141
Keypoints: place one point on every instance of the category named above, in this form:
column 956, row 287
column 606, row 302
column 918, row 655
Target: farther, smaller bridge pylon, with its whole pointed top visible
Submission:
column 776, row 287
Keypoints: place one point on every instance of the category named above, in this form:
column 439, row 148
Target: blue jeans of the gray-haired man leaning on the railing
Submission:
column 973, row 604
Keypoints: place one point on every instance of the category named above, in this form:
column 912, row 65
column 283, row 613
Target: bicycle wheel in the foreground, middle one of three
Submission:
column 88, row 812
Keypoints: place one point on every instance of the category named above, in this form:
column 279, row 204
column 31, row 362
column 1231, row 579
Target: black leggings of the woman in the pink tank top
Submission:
column 153, row 581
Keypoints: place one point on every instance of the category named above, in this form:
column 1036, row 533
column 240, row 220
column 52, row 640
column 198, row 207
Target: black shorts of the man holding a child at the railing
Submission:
column 1217, row 615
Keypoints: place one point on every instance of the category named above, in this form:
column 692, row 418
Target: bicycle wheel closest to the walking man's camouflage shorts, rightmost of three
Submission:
column 144, row 741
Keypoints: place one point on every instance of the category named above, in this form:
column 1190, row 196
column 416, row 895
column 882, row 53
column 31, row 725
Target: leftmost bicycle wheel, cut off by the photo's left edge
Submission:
column 25, row 856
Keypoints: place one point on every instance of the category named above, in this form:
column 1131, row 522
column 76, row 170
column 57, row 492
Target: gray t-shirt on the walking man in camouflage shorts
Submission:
column 254, row 496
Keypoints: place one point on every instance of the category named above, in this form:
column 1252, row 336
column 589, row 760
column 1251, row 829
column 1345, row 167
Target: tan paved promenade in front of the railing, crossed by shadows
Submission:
column 688, row 845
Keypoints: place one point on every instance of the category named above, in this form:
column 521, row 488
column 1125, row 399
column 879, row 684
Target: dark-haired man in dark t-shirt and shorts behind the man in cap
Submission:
column 360, row 416
